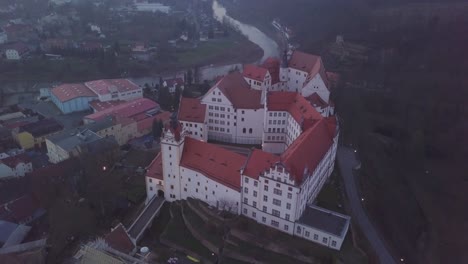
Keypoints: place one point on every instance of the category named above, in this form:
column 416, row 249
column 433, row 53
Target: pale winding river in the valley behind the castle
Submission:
column 269, row 46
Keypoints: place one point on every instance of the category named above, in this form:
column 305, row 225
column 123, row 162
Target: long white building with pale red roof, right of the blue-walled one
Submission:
column 115, row 89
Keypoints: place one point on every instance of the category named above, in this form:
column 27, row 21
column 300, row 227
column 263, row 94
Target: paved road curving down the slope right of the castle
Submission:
column 347, row 161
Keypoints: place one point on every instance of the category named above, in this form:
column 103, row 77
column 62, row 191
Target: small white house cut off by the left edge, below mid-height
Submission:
column 15, row 166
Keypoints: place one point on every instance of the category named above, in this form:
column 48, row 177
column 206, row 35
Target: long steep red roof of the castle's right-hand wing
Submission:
column 307, row 150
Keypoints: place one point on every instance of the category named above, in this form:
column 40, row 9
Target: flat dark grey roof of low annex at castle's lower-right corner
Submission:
column 325, row 220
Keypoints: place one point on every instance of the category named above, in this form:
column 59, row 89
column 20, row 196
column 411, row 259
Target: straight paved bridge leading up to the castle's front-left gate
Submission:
column 144, row 219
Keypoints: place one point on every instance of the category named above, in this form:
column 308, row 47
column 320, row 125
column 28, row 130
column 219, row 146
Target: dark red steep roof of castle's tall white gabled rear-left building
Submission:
column 238, row 91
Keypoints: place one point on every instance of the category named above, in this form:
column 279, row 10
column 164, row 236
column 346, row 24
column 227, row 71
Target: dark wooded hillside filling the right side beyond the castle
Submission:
column 405, row 108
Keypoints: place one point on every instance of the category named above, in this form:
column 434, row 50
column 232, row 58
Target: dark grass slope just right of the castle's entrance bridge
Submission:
column 177, row 233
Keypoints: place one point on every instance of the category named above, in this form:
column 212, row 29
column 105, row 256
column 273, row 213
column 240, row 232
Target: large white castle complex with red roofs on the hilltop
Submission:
column 285, row 107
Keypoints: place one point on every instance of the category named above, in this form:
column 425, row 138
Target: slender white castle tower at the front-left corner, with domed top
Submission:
column 172, row 146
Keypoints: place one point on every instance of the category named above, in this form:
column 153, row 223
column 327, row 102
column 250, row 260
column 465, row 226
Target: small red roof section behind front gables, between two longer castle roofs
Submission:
column 258, row 162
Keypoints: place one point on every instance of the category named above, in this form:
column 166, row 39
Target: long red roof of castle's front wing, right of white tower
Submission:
column 219, row 164
